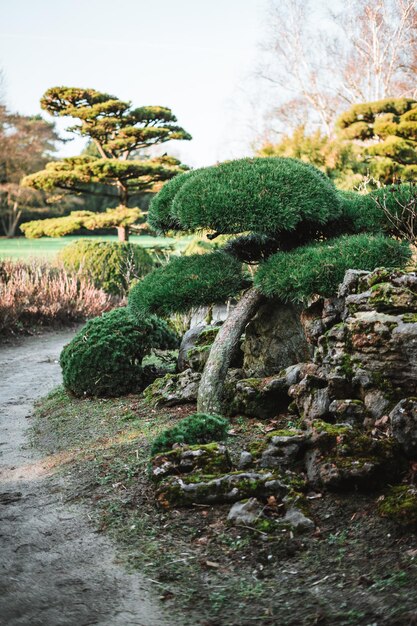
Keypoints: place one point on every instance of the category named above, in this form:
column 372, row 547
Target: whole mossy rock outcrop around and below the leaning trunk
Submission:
column 351, row 424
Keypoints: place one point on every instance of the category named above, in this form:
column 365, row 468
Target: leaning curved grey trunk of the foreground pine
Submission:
column 210, row 392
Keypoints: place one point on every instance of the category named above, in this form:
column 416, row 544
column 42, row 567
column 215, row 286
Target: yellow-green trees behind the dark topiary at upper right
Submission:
column 376, row 140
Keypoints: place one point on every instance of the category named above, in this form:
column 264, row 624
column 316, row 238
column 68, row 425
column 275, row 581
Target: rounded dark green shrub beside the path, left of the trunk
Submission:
column 105, row 357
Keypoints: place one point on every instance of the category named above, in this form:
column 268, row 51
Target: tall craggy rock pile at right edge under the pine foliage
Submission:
column 366, row 349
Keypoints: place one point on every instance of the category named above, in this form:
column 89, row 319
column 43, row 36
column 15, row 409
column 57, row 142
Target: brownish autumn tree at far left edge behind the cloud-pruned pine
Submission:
column 26, row 144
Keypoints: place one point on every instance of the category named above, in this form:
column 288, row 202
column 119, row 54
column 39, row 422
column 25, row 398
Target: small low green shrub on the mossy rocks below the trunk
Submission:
column 196, row 428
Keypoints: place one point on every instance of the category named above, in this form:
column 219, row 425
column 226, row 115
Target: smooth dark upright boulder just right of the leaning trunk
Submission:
column 274, row 340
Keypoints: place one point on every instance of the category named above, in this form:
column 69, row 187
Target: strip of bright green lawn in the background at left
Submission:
column 48, row 247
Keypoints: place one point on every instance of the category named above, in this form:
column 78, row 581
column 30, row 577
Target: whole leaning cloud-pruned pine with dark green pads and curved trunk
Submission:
column 292, row 218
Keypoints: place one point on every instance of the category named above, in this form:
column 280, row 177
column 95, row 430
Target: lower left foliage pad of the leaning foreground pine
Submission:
column 188, row 282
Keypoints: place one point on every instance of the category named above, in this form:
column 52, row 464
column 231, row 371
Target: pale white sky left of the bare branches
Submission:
column 195, row 56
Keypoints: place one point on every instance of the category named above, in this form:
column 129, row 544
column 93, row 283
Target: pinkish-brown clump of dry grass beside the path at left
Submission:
column 36, row 293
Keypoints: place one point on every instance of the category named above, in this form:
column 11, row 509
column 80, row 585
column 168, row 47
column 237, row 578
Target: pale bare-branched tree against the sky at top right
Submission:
column 364, row 52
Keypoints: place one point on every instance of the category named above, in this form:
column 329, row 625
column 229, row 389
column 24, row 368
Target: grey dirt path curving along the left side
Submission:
column 54, row 569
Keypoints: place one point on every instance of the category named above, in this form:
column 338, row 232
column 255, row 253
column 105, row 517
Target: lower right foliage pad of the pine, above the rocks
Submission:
column 319, row 268
